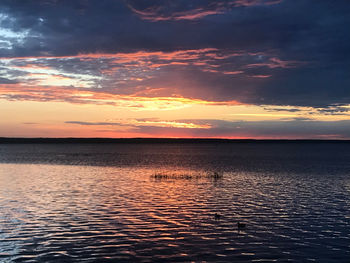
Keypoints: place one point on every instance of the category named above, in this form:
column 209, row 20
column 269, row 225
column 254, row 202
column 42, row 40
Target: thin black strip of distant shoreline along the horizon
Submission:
column 7, row 140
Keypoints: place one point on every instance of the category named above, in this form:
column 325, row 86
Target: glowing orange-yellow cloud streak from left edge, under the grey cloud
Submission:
column 83, row 96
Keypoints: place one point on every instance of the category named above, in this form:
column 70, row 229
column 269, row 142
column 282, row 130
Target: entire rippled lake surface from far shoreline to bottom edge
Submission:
column 100, row 203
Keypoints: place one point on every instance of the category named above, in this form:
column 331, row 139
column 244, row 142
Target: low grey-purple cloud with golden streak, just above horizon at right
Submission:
column 298, row 128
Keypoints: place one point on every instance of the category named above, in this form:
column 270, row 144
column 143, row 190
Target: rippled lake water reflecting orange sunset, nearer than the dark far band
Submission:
column 74, row 213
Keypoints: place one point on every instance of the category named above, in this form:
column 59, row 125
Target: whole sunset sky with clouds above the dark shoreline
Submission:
column 262, row 69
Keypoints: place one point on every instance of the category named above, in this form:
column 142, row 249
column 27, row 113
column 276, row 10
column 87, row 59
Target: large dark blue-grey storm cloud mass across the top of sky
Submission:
column 302, row 55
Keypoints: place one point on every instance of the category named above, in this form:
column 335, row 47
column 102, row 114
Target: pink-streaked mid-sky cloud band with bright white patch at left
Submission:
column 181, row 73
